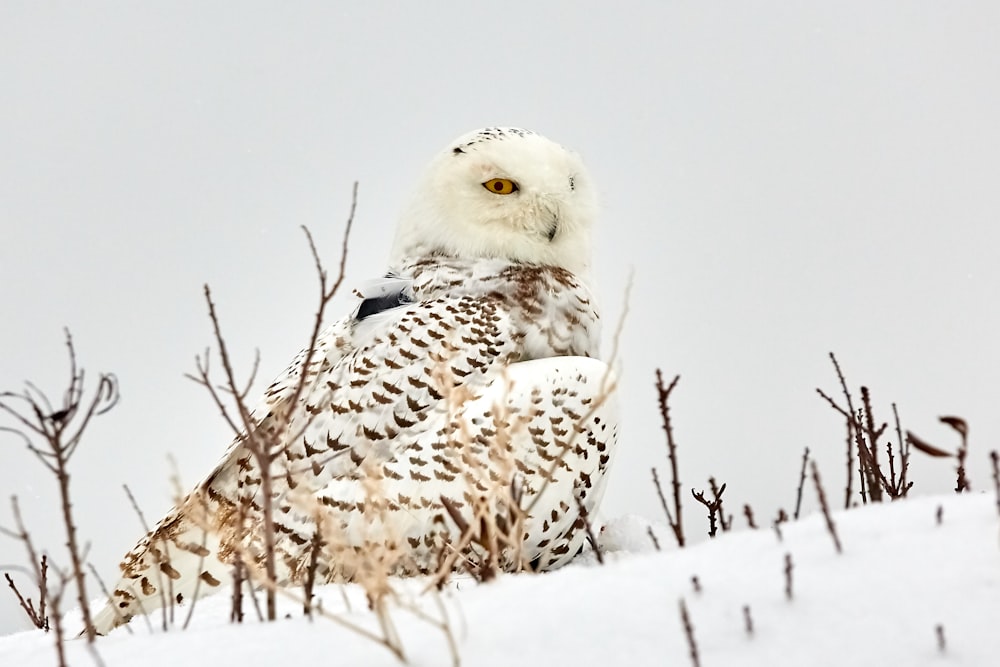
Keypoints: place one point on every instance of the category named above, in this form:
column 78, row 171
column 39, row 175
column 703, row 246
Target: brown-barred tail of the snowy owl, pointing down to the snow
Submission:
column 175, row 563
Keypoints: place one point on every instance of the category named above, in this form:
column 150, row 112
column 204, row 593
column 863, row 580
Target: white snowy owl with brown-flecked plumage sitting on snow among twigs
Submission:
column 464, row 379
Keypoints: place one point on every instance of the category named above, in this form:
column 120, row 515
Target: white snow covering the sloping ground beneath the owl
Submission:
column 901, row 574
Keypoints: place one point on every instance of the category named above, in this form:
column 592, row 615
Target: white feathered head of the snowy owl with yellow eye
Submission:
column 502, row 193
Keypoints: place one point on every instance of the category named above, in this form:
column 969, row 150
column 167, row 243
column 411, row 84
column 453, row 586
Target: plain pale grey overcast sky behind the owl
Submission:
column 782, row 179
